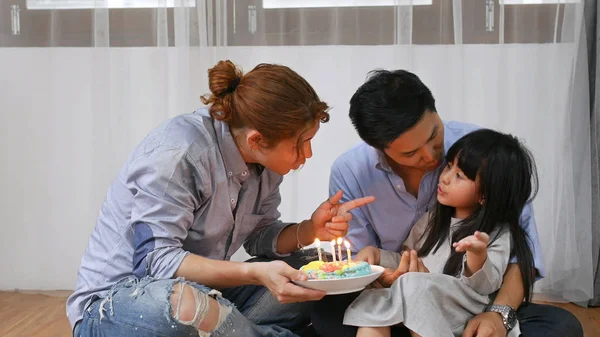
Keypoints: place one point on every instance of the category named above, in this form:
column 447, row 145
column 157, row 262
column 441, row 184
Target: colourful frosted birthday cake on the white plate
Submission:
column 319, row 270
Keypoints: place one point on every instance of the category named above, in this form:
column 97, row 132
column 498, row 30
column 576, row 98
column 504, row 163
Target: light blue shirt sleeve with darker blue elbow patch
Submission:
column 166, row 185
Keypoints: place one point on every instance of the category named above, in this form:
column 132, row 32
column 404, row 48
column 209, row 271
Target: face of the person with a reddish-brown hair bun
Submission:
column 284, row 157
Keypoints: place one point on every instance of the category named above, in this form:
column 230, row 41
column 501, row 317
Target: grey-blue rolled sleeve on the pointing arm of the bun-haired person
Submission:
column 263, row 239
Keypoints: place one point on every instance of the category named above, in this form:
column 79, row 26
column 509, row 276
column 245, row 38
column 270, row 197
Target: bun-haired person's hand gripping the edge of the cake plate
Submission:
column 277, row 275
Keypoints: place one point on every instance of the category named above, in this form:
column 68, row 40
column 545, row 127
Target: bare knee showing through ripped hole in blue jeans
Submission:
column 189, row 306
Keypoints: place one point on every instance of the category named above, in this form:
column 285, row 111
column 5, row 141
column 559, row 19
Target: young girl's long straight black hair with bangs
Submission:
column 508, row 181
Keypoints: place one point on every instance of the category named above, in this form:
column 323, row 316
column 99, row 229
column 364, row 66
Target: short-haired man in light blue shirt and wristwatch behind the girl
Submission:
column 399, row 163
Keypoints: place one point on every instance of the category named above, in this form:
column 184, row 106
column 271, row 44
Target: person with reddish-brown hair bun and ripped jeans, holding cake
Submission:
column 197, row 188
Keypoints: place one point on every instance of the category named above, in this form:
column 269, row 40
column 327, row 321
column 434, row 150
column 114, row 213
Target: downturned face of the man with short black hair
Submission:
column 422, row 147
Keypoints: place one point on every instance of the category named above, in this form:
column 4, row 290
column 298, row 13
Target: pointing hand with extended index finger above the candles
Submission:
column 331, row 219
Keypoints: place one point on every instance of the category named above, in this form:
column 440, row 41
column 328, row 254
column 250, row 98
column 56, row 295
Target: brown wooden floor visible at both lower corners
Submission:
column 43, row 314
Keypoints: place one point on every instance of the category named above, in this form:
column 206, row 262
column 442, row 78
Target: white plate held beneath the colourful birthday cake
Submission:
column 344, row 285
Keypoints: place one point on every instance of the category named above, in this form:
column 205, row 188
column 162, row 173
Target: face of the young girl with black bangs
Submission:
column 456, row 190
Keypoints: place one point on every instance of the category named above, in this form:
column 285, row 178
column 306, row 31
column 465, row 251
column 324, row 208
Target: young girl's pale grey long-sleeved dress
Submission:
column 433, row 304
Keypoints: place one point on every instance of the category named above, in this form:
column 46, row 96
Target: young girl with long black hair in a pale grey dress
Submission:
column 465, row 242
